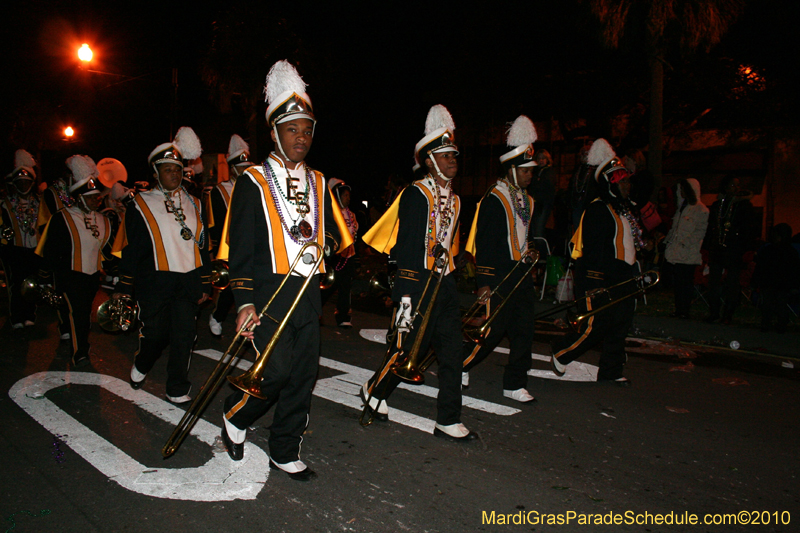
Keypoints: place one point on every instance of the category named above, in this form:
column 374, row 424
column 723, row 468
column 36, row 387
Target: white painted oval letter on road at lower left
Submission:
column 220, row 479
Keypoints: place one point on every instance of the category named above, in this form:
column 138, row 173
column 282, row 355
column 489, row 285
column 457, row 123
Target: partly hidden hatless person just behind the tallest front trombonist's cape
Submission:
column 343, row 264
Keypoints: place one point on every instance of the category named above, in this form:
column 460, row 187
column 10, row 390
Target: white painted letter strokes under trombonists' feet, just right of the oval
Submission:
column 343, row 389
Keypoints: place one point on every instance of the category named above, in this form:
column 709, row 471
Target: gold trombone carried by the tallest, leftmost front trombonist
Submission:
column 250, row 381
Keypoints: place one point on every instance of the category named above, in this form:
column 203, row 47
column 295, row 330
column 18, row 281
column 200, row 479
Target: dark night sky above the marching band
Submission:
column 373, row 71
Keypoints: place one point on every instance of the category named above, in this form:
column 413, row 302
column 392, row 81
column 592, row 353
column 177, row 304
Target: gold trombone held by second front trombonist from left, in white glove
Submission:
column 408, row 368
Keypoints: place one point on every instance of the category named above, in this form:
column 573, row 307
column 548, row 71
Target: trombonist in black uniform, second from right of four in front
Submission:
column 498, row 240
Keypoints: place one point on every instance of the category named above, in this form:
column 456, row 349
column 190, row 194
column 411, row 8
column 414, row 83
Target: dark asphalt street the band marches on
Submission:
column 699, row 433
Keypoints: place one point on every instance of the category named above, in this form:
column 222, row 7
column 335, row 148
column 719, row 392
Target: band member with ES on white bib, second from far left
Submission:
column 74, row 244
